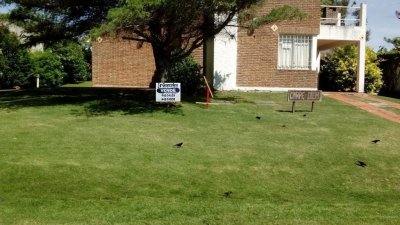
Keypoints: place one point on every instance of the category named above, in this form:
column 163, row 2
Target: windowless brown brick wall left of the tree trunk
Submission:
column 122, row 63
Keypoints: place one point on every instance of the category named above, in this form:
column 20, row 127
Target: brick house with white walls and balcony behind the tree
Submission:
column 280, row 56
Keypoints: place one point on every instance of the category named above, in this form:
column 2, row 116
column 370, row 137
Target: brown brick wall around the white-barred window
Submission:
column 258, row 53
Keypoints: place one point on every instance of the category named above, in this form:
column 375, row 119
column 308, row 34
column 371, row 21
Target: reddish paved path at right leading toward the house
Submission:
column 347, row 98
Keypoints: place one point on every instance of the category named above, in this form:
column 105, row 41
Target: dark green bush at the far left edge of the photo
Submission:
column 14, row 61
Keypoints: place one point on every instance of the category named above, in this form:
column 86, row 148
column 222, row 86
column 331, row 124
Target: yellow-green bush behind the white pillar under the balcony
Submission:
column 339, row 70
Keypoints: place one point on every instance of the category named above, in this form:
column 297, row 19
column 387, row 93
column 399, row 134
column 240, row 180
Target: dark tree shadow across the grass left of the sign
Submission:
column 95, row 101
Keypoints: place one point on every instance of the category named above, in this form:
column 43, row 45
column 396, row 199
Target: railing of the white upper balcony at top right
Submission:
column 341, row 15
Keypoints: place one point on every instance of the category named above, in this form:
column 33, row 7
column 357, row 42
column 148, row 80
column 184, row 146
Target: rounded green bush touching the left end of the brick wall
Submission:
column 72, row 57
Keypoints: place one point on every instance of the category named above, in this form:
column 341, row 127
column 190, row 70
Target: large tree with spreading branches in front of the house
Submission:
column 175, row 28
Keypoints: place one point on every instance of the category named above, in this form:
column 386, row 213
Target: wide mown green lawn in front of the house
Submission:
column 93, row 156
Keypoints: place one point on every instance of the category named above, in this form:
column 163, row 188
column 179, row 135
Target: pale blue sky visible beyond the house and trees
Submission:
column 382, row 21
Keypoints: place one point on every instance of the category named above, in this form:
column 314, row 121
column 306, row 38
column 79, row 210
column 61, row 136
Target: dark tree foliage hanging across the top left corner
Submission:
column 48, row 21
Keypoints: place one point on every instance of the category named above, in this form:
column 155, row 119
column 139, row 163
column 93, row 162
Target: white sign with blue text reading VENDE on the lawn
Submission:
column 168, row 92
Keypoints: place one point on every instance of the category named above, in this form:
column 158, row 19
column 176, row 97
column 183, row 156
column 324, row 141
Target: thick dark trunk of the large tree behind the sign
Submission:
column 163, row 63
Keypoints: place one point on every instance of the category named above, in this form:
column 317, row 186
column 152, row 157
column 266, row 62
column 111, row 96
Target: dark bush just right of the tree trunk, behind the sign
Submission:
column 188, row 73
